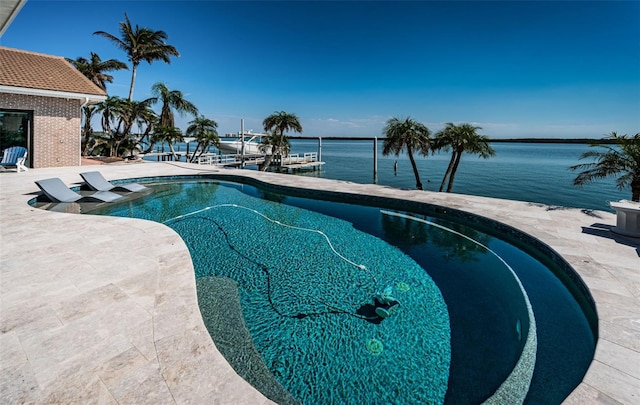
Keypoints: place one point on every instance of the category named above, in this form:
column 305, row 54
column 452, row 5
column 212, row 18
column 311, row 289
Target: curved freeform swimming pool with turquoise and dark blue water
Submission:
column 460, row 331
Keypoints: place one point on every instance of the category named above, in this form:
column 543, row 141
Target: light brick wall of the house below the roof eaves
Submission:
column 56, row 128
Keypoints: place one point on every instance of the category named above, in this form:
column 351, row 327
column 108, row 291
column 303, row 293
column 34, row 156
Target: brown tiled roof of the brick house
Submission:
column 43, row 72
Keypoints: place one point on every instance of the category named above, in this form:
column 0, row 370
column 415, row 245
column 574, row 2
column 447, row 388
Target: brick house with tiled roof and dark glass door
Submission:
column 41, row 100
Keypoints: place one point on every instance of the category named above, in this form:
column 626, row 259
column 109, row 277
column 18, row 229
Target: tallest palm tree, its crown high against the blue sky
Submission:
column 141, row 44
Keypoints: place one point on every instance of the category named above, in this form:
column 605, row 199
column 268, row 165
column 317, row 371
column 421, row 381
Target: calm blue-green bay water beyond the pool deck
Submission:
column 533, row 172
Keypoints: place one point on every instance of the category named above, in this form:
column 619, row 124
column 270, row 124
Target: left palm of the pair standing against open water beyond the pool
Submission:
column 406, row 134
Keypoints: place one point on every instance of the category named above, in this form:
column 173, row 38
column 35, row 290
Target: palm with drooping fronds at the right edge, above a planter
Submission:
column 621, row 160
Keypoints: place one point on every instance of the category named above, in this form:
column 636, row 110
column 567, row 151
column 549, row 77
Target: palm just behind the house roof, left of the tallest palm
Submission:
column 95, row 70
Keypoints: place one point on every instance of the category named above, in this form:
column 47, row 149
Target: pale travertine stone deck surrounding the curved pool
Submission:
column 104, row 310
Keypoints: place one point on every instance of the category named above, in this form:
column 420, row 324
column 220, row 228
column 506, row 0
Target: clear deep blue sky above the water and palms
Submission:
column 515, row 68
